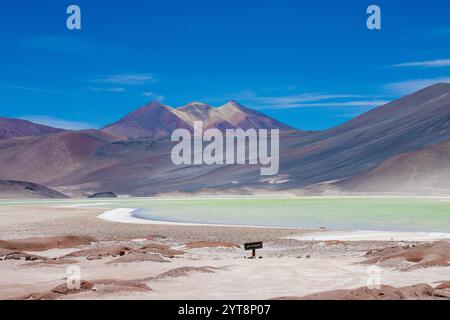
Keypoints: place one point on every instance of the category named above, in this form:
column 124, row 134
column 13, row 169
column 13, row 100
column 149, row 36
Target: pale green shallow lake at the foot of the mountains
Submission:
column 381, row 214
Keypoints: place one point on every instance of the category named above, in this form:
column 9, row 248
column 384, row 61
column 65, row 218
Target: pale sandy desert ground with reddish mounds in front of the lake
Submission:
column 44, row 247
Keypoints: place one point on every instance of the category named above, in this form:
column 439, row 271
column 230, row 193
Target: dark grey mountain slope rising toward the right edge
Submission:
column 322, row 161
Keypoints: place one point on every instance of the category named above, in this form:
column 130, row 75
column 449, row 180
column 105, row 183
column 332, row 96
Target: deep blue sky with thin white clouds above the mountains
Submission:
column 311, row 64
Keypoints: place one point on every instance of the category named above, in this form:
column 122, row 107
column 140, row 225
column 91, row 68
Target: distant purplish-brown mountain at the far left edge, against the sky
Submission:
column 10, row 128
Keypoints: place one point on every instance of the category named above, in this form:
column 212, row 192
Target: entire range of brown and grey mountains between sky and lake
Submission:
column 402, row 147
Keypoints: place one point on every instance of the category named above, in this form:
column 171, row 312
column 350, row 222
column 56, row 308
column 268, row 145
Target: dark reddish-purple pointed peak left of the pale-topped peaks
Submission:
column 153, row 120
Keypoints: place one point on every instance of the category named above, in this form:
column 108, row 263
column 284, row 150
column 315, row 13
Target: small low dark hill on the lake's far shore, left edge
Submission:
column 27, row 190
